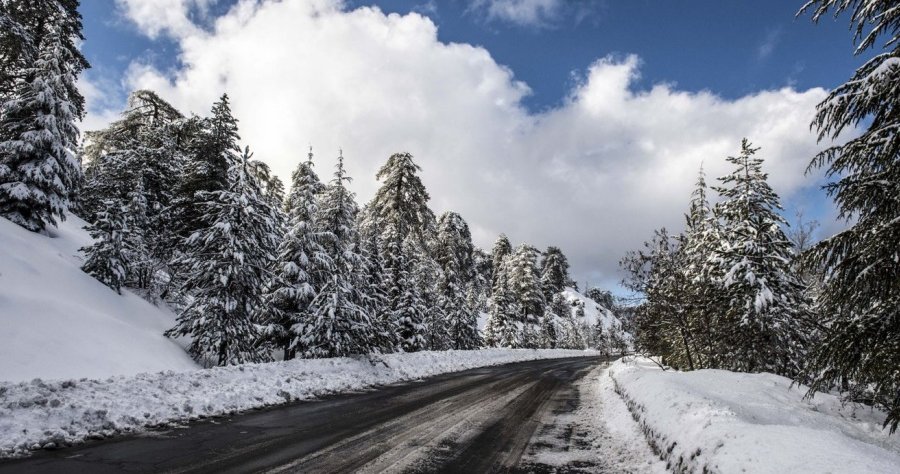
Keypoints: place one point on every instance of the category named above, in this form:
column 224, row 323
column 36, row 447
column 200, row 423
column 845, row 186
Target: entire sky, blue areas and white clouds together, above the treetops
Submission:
column 623, row 102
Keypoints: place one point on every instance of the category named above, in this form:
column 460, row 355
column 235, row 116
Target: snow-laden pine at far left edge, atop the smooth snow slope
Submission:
column 38, row 135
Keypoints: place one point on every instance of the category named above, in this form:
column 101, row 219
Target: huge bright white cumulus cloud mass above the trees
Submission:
column 594, row 175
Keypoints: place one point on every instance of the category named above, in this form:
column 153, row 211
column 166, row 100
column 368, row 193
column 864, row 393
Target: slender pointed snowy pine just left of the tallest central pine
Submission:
column 340, row 324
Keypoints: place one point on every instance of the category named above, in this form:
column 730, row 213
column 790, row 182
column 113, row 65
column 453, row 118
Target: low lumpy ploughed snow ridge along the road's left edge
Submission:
column 41, row 414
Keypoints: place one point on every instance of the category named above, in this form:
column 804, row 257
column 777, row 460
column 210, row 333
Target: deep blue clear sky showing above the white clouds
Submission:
column 730, row 48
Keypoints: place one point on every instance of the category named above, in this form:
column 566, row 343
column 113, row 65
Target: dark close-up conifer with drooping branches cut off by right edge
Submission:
column 861, row 298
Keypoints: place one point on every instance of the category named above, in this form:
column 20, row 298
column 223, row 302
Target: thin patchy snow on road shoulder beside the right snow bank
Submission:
column 598, row 435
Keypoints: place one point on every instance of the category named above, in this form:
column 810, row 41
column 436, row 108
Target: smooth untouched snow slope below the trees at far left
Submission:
column 58, row 322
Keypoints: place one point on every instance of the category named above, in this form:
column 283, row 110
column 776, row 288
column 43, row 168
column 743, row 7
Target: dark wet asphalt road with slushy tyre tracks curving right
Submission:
column 480, row 420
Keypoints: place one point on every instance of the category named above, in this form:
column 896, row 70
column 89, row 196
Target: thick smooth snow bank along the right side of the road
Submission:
column 720, row 421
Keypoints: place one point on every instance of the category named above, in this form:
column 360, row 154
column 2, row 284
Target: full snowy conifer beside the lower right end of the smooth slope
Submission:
column 224, row 269
